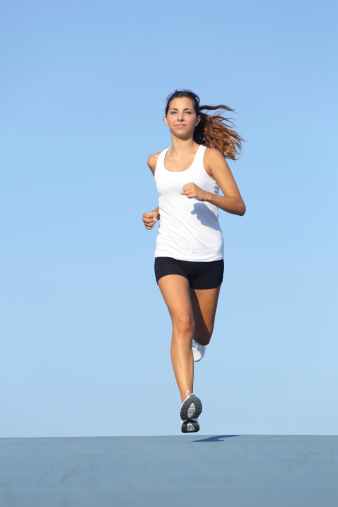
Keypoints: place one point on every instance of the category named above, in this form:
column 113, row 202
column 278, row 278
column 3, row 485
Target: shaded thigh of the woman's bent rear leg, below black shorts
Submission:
column 204, row 305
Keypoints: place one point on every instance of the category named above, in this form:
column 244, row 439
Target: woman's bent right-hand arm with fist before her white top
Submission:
column 218, row 169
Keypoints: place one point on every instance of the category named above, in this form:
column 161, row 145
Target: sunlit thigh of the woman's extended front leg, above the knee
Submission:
column 176, row 294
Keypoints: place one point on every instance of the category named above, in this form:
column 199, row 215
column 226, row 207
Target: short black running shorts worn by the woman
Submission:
column 201, row 275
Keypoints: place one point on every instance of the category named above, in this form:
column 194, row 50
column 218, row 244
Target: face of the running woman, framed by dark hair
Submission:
column 181, row 117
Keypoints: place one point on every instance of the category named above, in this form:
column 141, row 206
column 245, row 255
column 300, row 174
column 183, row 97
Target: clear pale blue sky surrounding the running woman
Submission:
column 85, row 335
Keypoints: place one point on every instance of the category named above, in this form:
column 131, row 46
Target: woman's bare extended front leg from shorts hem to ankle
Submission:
column 176, row 294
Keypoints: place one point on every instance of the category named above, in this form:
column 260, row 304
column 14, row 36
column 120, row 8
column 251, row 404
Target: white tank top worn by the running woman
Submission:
column 189, row 229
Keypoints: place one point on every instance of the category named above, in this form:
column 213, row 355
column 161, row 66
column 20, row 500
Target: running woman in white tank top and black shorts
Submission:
column 189, row 248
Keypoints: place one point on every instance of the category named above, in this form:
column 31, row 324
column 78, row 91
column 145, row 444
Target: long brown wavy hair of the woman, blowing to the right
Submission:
column 213, row 131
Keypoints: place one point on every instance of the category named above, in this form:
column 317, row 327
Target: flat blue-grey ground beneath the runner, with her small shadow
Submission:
column 231, row 470
